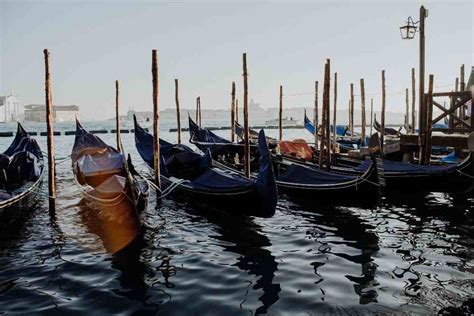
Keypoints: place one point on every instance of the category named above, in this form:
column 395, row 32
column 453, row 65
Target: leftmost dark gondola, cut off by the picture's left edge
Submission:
column 21, row 176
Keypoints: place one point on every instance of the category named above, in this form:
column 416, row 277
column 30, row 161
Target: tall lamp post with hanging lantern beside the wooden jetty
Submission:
column 408, row 31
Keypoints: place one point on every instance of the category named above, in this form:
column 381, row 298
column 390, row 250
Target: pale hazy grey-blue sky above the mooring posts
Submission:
column 93, row 43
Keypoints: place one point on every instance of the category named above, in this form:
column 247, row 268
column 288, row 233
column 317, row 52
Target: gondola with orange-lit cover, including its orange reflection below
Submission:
column 109, row 184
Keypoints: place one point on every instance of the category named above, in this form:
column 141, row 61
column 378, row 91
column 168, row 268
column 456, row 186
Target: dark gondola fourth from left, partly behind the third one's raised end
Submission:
column 294, row 179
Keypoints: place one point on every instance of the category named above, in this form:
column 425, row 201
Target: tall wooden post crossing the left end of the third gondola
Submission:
column 156, row 119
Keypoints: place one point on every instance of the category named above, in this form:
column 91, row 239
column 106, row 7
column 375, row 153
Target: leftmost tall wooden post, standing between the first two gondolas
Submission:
column 50, row 140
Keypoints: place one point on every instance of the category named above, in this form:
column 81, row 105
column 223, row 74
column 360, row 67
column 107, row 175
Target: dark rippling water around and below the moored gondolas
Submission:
column 409, row 254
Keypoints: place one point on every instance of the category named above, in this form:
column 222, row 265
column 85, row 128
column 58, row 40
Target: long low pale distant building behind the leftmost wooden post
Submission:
column 61, row 113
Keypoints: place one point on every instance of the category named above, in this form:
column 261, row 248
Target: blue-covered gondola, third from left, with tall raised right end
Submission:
column 194, row 178
